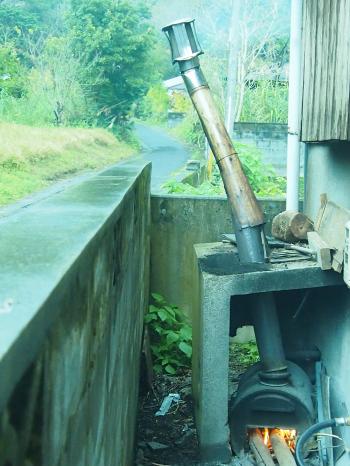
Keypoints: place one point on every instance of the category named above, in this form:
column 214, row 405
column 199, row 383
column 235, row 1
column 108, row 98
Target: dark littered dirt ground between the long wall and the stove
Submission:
column 171, row 440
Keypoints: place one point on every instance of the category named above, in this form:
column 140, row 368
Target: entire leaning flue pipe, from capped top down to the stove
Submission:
column 248, row 218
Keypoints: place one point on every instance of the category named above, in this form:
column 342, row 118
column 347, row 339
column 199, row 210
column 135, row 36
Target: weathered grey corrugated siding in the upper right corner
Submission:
column 326, row 70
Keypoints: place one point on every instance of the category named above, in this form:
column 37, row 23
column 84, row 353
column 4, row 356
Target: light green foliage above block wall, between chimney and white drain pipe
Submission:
column 265, row 102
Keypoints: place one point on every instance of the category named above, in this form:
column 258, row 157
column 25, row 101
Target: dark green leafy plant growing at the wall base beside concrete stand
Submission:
column 171, row 336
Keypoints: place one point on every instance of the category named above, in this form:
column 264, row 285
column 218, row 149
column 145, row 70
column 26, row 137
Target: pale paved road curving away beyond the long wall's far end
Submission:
column 166, row 154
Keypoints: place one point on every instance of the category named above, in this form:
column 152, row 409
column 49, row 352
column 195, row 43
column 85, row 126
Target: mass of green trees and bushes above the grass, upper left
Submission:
column 77, row 63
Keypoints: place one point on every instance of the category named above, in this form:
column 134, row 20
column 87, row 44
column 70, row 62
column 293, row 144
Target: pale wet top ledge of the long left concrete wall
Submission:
column 40, row 248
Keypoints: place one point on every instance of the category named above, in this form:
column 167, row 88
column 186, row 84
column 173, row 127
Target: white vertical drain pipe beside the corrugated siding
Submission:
column 293, row 150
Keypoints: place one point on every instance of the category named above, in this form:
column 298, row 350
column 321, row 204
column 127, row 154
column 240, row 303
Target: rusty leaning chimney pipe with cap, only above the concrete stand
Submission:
column 247, row 215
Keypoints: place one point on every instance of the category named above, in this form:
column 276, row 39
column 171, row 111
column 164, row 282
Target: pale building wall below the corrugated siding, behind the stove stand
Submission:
column 327, row 324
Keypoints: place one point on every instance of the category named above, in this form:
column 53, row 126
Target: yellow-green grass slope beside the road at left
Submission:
column 33, row 158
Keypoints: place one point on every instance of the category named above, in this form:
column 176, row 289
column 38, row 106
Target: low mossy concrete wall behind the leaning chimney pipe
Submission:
column 179, row 222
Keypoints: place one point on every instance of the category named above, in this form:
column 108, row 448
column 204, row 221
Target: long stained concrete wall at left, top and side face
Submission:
column 75, row 267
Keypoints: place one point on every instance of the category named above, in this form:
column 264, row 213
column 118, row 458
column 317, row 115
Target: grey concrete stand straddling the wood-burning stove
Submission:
column 219, row 277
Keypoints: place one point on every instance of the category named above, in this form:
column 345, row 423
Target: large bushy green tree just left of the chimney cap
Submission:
column 118, row 39
